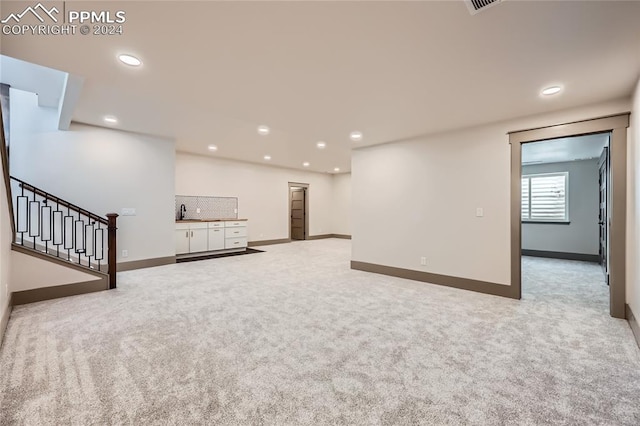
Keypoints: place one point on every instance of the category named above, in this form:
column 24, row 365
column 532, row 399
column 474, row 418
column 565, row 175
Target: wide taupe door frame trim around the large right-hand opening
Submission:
column 616, row 207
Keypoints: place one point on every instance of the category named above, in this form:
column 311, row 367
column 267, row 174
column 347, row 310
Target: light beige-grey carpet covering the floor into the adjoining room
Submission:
column 293, row 336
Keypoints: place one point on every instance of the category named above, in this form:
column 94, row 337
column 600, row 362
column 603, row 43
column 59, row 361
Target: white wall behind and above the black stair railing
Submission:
column 100, row 169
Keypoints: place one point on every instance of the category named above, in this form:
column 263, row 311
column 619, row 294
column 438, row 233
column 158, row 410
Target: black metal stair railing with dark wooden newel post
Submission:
column 51, row 225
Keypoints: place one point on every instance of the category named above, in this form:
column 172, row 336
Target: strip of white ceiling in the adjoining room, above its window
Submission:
column 564, row 149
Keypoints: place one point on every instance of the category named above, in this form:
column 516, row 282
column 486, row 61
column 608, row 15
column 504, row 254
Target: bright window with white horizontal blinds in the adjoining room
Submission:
column 544, row 197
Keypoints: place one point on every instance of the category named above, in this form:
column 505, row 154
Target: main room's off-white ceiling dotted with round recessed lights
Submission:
column 213, row 71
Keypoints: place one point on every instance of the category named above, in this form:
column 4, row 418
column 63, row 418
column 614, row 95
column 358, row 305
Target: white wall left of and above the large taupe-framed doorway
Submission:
column 419, row 198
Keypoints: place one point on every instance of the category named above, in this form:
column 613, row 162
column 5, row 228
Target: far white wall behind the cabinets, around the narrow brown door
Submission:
column 262, row 191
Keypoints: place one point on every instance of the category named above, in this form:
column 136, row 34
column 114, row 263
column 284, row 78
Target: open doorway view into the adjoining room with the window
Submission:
column 564, row 220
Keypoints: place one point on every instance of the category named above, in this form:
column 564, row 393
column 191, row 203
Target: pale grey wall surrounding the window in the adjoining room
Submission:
column 581, row 235
